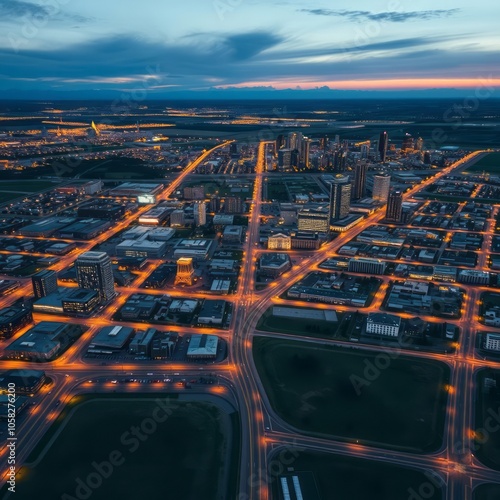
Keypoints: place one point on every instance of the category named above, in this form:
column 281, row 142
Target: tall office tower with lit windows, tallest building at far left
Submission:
column 94, row 272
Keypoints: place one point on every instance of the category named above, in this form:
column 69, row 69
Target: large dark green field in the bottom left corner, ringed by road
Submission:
column 178, row 448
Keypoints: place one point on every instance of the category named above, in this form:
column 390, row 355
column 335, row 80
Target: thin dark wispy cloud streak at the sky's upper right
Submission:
column 390, row 16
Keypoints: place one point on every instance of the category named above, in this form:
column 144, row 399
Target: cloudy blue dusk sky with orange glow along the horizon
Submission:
column 231, row 47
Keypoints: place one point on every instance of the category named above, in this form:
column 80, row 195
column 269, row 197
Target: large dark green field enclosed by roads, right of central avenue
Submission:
column 397, row 403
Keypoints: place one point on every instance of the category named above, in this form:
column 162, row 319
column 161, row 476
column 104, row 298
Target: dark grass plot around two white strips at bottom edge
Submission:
column 347, row 478
